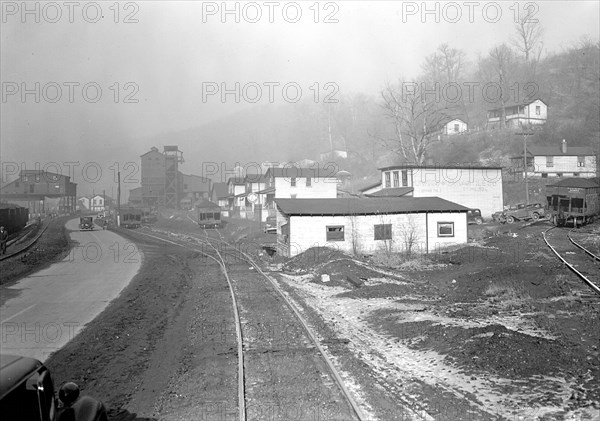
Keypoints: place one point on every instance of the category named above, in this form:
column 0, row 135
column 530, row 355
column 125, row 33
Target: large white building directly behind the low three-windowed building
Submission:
column 473, row 186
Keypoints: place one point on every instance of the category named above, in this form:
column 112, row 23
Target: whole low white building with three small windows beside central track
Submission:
column 367, row 226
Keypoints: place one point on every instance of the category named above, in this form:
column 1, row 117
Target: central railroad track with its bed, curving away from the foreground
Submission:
column 274, row 358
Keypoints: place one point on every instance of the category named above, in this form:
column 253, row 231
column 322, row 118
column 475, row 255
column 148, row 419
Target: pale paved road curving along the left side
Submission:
column 51, row 306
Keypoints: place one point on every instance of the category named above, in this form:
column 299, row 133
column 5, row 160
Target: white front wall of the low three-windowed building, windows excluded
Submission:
column 307, row 232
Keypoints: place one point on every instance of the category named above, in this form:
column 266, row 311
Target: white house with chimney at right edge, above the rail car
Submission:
column 559, row 161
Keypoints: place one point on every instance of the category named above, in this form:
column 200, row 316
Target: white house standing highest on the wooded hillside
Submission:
column 522, row 114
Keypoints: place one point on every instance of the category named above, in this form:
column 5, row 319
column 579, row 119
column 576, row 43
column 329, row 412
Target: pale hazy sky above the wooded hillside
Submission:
column 92, row 81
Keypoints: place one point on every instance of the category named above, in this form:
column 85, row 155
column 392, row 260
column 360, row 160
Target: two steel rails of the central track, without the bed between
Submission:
column 219, row 255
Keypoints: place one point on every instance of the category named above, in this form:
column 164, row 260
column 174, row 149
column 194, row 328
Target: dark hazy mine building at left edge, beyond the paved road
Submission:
column 42, row 192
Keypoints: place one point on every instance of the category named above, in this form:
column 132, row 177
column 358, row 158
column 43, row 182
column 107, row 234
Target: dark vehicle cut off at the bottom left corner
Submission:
column 27, row 393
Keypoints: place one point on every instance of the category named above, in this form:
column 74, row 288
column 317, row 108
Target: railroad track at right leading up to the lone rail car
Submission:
column 576, row 257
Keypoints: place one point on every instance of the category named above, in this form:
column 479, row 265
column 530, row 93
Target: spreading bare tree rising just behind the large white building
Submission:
column 416, row 120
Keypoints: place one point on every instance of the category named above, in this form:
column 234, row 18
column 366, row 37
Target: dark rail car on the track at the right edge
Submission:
column 573, row 201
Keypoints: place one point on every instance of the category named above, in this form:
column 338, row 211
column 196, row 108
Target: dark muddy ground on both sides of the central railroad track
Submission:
column 492, row 331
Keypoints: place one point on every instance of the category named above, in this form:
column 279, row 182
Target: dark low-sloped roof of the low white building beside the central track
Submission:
column 370, row 206
